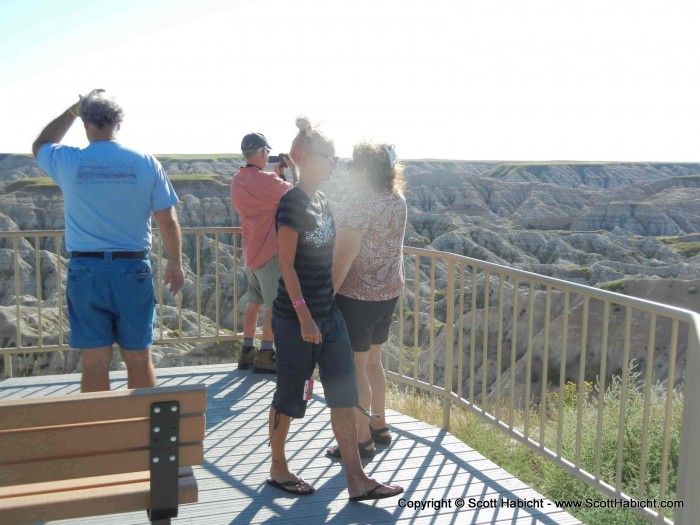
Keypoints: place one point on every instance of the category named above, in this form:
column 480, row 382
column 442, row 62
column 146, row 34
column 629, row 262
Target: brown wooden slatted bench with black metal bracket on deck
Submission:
column 102, row 453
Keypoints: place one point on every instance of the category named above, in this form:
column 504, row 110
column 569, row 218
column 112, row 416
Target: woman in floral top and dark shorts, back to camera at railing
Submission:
column 368, row 275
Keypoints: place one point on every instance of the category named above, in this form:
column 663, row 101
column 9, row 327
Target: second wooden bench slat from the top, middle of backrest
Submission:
column 89, row 439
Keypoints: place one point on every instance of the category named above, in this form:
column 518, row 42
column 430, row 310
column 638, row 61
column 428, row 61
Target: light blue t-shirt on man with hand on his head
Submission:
column 109, row 192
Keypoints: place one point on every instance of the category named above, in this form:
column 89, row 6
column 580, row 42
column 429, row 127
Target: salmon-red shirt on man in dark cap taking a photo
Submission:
column 255, row 194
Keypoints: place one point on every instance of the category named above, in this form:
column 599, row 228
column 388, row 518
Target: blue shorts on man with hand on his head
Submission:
column 110, row 300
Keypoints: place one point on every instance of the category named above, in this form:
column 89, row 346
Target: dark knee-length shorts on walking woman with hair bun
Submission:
column 296, row 360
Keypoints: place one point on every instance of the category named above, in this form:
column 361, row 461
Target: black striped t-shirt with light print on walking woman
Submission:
column 313, row 221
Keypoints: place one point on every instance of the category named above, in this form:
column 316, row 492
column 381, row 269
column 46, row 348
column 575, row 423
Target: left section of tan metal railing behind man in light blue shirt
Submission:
column 42, row 252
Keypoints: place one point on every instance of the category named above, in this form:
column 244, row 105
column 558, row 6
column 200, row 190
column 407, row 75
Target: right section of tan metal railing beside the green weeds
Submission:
column 532, row 355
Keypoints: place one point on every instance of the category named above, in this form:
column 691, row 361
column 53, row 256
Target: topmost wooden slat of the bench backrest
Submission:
column 86, row 408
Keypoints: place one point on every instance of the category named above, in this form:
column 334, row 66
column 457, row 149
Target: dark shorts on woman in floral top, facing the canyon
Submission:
column 368, row 321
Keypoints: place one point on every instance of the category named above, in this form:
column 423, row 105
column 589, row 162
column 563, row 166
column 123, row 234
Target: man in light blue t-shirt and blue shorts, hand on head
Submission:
column 109, row 194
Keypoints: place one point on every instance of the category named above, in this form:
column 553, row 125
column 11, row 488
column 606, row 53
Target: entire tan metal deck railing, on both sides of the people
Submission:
column 558, row 366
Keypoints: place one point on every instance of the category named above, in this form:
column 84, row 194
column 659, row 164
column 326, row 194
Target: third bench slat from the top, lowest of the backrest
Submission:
column 88, row 466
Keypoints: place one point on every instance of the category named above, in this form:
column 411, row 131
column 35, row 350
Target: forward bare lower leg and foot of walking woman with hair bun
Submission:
column 359, row 483
